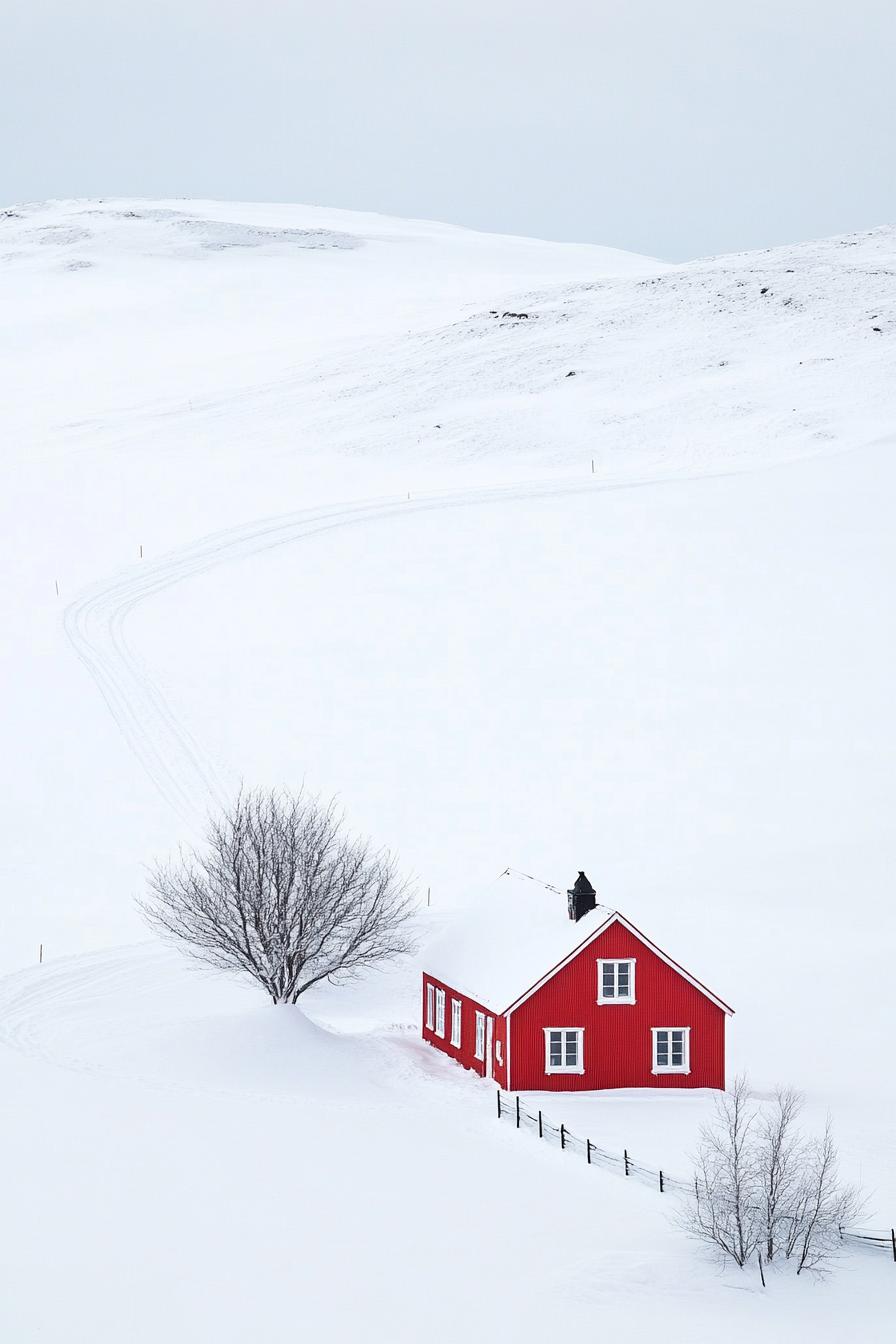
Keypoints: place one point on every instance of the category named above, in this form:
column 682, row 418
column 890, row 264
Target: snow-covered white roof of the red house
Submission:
column 514, row 935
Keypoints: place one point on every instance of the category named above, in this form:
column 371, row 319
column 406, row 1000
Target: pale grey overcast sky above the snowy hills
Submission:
column 670, row 127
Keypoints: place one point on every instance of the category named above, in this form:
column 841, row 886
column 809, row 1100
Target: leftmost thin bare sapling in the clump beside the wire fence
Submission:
column 725, row 1212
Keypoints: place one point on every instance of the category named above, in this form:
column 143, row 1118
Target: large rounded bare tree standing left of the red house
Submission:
column 284, row 894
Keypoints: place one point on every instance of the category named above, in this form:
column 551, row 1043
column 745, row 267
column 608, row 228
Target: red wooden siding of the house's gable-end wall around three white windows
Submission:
column 619, row 1041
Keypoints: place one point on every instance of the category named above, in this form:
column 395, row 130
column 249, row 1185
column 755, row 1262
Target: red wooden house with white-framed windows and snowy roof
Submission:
column 539, row 999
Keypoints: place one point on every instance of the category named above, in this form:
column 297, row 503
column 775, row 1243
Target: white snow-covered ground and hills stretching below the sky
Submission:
column 674, row 671
